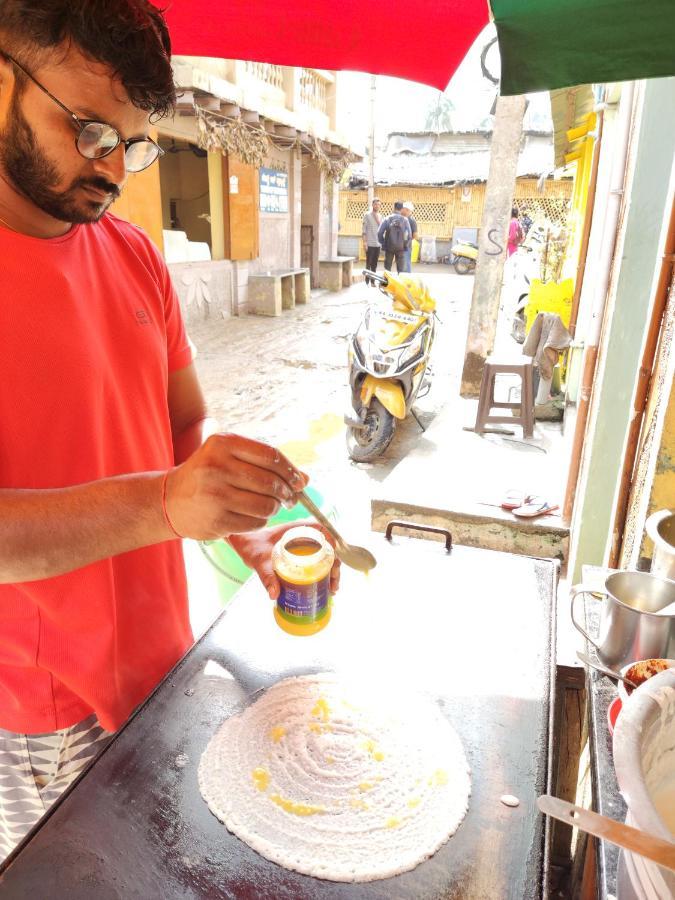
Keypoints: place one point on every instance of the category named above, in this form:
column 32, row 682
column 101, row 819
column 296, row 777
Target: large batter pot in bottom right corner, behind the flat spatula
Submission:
column 644, row 760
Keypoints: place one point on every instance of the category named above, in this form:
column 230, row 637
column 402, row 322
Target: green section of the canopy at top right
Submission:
column 548, row 44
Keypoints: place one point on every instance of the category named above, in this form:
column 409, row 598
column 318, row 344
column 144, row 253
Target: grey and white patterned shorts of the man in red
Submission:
column 35, row 769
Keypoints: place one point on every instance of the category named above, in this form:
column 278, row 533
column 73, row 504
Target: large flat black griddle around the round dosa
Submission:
column 472, row 628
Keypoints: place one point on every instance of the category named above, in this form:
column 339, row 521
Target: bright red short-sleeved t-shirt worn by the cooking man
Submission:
column 90, row 327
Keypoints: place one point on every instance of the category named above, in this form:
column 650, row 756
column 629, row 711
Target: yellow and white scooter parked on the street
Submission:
column 388, row 360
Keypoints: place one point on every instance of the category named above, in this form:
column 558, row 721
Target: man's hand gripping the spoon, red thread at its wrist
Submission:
column 230, row 484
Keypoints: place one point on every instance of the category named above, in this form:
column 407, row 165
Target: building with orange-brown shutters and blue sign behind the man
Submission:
column 246, row 182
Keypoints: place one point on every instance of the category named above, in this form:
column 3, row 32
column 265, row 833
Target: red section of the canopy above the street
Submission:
column 422, row 41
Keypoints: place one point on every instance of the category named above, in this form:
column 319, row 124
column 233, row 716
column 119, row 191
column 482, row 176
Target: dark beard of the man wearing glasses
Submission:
column 37, row 178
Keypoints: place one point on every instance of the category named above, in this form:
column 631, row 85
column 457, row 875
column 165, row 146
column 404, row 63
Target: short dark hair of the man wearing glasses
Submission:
column 129, row 36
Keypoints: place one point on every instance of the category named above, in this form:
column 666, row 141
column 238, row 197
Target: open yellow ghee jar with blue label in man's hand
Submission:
column 302, row 560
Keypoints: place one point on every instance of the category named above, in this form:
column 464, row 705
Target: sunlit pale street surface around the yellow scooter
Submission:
column 284, row 380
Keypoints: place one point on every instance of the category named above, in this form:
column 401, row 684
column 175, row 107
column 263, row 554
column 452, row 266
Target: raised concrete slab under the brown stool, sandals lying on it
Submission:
column 456, row 479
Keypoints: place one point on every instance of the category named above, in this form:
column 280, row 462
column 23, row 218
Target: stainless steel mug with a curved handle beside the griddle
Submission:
column 630, row 626
